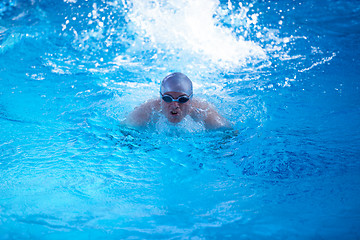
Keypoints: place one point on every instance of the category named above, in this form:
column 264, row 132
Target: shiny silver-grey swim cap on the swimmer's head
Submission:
column 176, row 82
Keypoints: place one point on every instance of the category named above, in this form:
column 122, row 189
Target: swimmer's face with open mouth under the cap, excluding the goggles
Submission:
column 175, row 111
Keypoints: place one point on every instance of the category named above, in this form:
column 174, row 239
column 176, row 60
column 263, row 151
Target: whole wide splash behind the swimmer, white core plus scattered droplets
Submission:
column 201, row 34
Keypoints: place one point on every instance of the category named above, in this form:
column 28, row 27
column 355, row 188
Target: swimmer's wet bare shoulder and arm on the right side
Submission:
column 205, row 112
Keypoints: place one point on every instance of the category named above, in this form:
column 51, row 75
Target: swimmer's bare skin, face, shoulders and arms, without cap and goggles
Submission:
column 175, row 112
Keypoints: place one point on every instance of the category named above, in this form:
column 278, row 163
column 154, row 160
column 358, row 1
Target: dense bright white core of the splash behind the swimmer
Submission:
column 193, row 28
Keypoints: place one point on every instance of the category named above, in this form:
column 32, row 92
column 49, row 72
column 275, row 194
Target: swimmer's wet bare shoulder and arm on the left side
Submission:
column 141, row 115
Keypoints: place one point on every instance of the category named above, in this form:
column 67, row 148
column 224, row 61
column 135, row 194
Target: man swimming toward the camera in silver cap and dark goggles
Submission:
column 175, row 103
